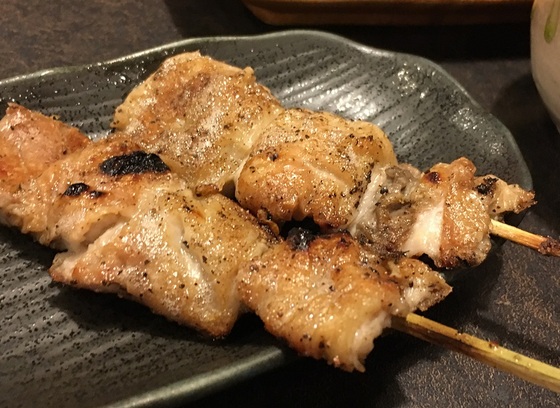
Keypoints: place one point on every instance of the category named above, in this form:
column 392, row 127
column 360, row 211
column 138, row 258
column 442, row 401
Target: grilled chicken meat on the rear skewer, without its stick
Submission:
column 226, row 131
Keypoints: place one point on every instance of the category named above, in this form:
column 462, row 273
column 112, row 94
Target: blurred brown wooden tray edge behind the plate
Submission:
column 390, row 12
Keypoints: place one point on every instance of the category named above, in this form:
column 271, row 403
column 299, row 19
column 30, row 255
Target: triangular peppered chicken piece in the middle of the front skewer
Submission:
column 177, row 253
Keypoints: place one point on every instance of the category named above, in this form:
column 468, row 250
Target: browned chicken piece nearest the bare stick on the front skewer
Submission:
column 329, row 298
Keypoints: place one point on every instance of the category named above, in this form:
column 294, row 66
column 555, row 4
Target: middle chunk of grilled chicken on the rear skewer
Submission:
column 311, row 164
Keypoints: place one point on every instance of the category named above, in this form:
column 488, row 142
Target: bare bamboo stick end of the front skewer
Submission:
column 487, row 352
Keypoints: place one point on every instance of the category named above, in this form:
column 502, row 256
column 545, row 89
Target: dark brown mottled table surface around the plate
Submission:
column 513, row 298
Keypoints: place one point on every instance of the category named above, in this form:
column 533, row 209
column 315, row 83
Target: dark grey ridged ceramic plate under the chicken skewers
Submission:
column 63, row 347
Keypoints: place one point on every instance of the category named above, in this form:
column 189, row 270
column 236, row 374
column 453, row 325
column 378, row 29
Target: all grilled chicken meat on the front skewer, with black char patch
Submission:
column 131, row 226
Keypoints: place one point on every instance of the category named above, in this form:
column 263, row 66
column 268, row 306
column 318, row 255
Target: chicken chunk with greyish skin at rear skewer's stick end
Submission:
column 444, row 213
